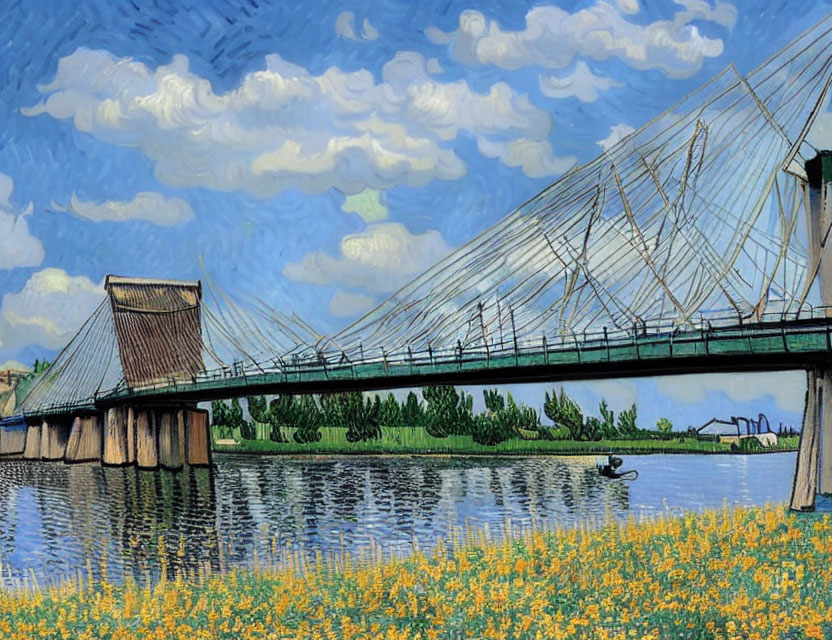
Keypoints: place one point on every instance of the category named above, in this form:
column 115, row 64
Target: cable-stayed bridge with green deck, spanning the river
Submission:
column 697, row 243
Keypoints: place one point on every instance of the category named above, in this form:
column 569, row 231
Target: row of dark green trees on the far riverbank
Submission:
column 442, row 411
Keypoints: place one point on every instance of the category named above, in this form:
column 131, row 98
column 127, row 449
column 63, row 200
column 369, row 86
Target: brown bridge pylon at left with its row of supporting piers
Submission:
column 157, row 325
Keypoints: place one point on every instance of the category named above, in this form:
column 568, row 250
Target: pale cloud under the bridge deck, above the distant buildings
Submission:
column 787, row 388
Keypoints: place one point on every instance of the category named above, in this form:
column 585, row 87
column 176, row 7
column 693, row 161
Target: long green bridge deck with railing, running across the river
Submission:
column 793, row 344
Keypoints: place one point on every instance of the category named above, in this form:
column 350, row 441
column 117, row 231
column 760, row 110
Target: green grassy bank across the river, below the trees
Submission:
column 415, row 440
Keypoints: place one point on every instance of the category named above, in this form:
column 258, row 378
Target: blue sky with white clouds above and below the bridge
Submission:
column 319, row 155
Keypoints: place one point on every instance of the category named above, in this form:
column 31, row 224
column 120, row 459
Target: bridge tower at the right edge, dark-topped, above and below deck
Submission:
column 813, row 471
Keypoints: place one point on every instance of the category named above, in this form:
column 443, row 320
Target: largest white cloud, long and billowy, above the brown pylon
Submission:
column 284, row 127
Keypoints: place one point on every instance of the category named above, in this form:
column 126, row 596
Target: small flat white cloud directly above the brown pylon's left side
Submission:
column 147, row 205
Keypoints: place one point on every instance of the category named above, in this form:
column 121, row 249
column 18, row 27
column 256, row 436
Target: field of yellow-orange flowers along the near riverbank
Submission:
column 733, row 573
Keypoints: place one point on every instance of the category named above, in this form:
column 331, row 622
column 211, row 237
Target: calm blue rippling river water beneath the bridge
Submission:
column 57, row 519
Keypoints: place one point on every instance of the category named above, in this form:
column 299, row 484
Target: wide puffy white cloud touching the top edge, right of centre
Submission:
column 553, row 38
